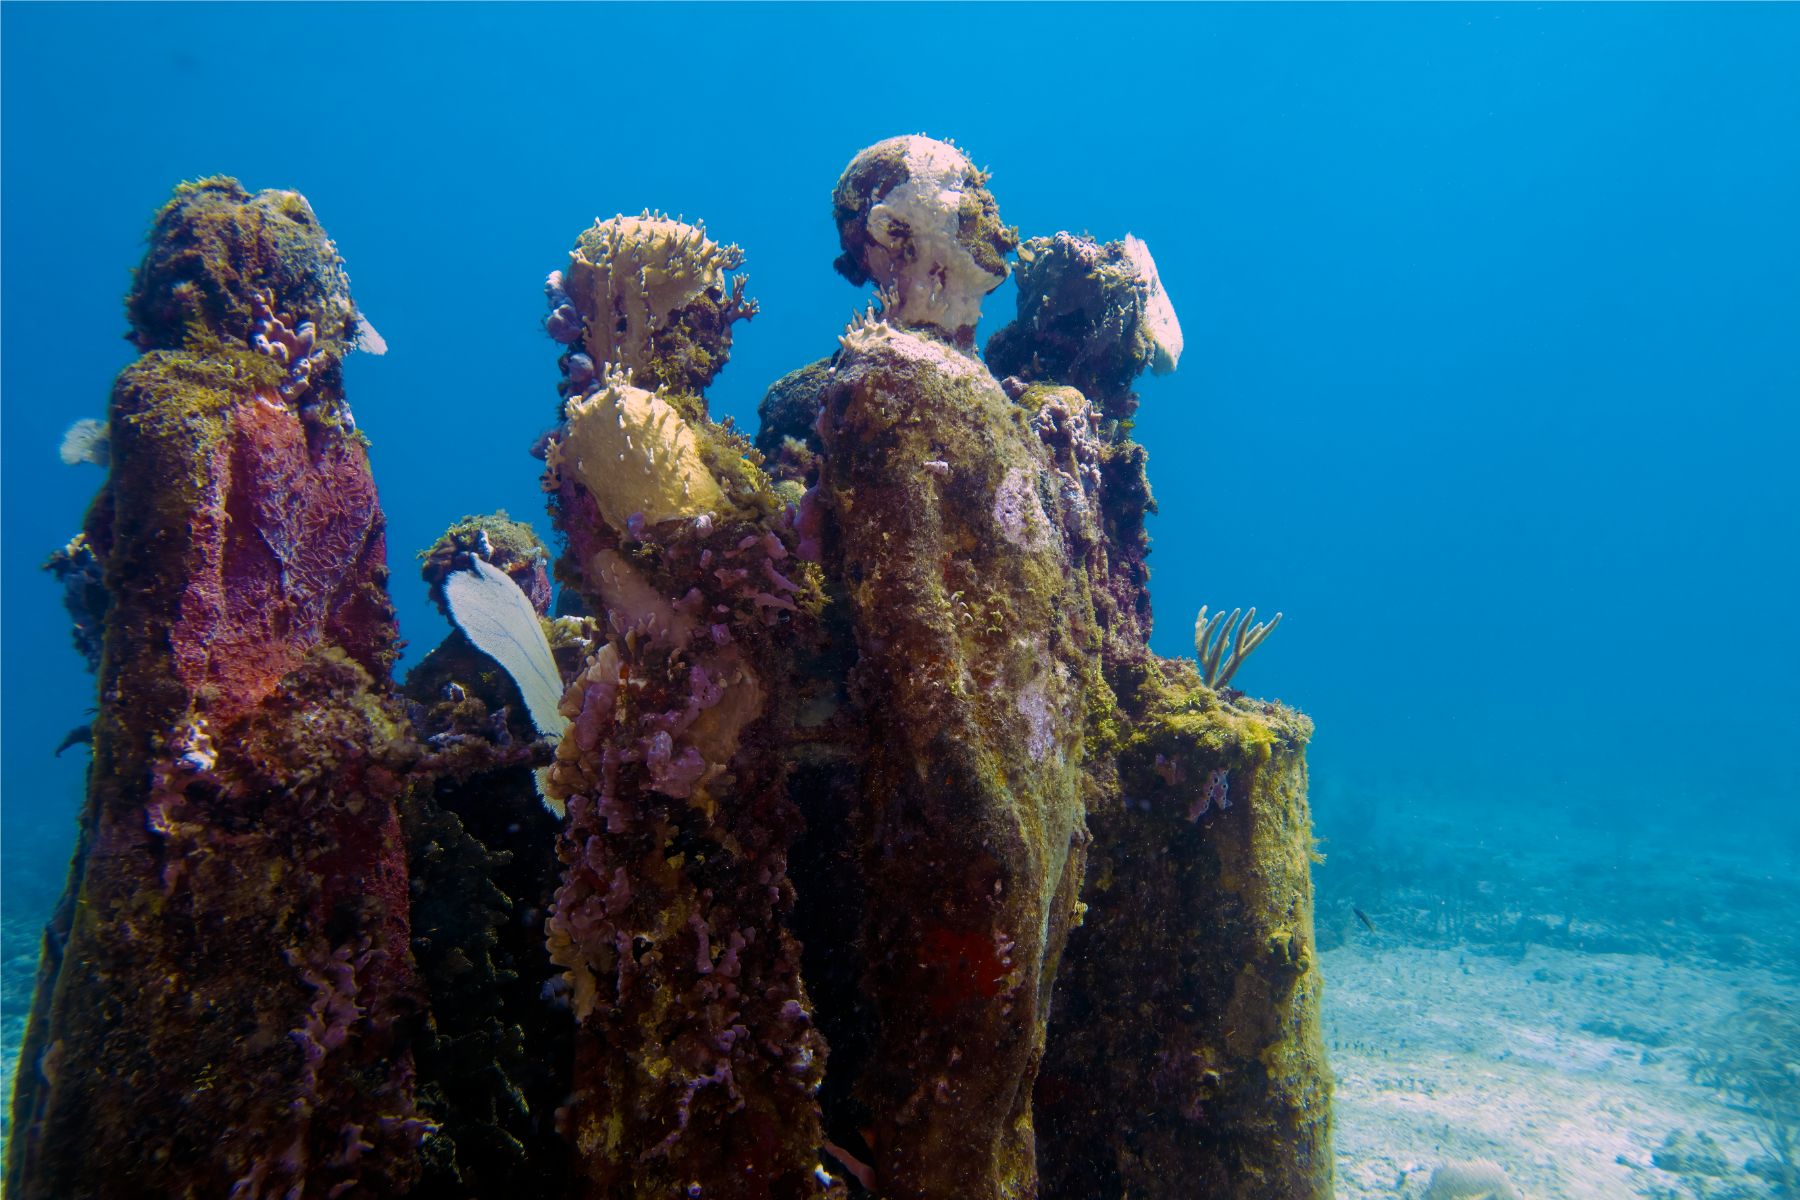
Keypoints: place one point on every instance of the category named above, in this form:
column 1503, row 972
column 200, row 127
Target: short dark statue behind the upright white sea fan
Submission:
column 492, row 1050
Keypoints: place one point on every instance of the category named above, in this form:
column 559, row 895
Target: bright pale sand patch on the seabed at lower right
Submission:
column 1563, row 1068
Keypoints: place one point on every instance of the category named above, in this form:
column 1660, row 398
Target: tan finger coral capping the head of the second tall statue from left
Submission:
column 633, row 274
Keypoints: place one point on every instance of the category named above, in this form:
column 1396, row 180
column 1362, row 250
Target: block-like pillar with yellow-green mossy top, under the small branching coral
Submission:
column 1185, row 1053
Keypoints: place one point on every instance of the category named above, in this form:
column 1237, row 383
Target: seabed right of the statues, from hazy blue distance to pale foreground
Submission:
column 1536, row 996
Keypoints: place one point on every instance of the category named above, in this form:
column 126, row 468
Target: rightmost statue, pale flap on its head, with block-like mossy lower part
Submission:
column 1183, row 1053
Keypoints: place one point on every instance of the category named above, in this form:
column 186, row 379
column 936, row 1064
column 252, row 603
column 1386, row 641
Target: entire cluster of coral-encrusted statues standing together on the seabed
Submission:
column 840, row 836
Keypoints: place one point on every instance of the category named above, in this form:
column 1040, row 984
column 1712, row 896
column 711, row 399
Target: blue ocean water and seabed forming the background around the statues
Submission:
column 1491, row 386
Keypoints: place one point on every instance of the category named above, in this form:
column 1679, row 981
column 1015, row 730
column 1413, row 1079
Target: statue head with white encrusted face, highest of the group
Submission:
column 917, row 217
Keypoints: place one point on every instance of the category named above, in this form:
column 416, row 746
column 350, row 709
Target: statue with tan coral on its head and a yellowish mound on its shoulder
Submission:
column 697, row 1062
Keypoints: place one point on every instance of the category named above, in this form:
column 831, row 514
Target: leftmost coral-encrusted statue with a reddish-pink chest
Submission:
column 224, row 992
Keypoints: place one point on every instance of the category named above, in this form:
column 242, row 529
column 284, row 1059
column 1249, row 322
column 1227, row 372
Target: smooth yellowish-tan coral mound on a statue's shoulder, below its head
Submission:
column 636, row 456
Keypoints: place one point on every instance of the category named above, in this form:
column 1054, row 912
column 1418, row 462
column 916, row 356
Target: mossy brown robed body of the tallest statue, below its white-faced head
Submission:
column 976, row 688
